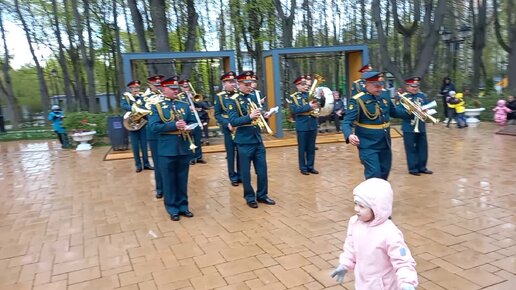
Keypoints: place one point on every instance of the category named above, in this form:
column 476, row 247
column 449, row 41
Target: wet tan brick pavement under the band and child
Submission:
column 69, row 220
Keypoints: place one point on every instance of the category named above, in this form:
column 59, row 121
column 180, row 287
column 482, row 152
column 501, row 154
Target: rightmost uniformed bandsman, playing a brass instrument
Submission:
column 414, row 131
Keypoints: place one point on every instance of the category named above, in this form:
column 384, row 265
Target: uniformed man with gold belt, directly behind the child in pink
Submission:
column 366, row 125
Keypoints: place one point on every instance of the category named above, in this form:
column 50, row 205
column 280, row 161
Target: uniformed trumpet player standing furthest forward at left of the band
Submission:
column 169, row 119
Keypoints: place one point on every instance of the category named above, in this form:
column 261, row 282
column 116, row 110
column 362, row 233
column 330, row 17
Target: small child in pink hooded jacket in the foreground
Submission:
column 374, row 246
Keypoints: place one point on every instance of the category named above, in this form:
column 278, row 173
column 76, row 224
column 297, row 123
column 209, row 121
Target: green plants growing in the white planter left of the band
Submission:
column 85, row 121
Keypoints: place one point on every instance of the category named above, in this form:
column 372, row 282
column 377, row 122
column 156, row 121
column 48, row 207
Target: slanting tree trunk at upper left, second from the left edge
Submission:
column 43, row 90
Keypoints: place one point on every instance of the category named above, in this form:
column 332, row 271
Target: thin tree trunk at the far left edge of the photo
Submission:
column 6, row 86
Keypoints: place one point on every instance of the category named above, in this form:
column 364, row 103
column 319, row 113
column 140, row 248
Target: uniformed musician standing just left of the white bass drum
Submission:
column 306, row 124
